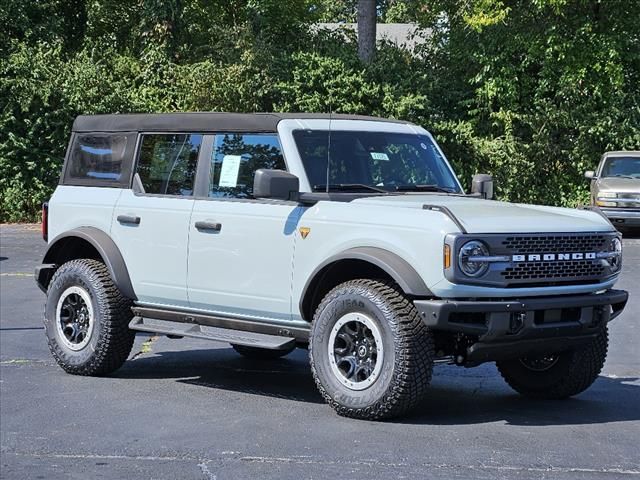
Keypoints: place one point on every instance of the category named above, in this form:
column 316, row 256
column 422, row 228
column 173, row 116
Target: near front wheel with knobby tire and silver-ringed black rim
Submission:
column 371, row 355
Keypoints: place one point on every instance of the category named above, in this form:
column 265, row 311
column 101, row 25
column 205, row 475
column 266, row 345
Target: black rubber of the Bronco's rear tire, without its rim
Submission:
column 111, row 339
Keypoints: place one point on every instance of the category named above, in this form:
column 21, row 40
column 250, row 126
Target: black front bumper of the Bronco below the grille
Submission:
column 517, row 327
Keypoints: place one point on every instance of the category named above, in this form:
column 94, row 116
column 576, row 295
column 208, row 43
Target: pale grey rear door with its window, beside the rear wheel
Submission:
column 151, row 221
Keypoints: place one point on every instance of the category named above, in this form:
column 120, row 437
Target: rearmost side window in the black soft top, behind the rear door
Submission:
column 100, row 159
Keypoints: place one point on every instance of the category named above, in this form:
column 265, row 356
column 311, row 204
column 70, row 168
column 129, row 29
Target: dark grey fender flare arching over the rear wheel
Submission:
column 107, row 249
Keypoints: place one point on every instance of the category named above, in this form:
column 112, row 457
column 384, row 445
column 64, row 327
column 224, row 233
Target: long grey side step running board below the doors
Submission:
column 250, row 339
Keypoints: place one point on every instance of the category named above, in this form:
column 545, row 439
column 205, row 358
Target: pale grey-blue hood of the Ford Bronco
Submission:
column 489, row 216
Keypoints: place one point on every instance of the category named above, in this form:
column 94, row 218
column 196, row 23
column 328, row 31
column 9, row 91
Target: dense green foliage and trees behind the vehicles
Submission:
column 530, row 91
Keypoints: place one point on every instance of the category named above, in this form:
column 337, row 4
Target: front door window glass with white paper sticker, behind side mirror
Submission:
column 235, row 159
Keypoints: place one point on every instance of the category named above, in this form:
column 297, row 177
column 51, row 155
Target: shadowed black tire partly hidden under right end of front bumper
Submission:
column 572, row 374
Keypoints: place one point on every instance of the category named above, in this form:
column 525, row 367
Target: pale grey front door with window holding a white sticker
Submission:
column 241, row 248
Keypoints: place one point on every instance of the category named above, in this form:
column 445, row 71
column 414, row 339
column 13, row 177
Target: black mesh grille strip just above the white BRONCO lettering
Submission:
column 556, row 243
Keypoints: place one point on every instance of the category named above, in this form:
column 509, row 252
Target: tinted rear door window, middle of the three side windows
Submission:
column 167, row 163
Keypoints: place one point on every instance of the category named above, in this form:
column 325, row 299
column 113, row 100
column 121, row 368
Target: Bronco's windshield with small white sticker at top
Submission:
column 373, row 161
